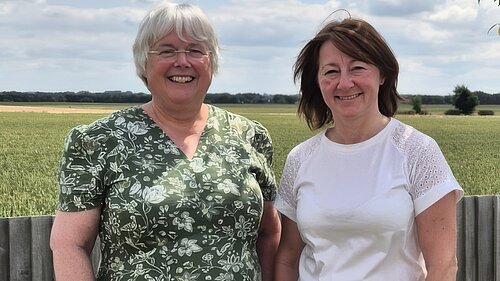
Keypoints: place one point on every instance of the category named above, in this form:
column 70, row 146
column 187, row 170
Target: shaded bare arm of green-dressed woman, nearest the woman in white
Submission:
column 269, row 237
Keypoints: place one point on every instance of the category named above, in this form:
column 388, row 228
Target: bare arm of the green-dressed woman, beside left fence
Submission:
column 72, row 239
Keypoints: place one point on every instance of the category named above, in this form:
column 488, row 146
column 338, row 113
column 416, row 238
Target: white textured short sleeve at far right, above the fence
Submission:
column 430, row 176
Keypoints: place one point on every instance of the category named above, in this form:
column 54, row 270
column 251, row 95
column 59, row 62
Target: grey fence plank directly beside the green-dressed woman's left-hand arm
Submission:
column 42, row 268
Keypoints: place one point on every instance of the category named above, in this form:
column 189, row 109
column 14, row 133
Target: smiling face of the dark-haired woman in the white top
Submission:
column 349, row 87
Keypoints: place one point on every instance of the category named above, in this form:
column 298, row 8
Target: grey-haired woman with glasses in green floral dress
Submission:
column 176, row 189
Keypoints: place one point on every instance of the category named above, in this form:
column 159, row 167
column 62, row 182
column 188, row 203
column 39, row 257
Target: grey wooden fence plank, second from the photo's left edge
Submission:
column 20, row 249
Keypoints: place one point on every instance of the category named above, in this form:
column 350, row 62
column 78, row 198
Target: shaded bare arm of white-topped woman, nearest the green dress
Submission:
column 290, row 248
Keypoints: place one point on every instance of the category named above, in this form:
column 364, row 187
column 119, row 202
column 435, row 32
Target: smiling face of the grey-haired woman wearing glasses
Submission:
column 180, row 79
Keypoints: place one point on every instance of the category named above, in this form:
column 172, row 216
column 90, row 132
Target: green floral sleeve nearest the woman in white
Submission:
column 265, row 176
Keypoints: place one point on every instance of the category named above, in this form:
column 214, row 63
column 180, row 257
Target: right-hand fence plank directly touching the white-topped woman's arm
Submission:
column 470, row 239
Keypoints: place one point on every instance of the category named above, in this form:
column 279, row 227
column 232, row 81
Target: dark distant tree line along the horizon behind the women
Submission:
column 213, row 98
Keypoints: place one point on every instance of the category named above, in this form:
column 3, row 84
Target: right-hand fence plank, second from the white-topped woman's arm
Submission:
column 485, row 241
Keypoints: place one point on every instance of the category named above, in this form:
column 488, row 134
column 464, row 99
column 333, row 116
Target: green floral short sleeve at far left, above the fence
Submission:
column 80, row 174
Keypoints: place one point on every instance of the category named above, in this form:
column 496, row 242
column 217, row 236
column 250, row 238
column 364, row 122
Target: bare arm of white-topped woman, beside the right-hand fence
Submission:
column 437, row 234
